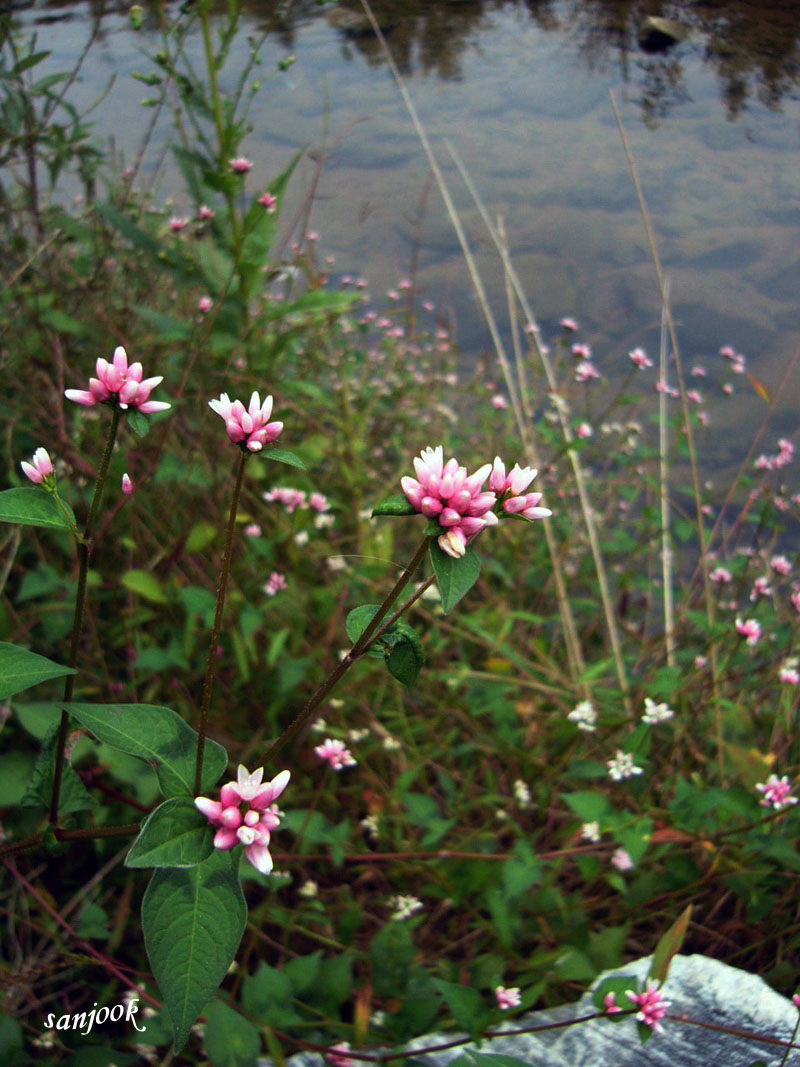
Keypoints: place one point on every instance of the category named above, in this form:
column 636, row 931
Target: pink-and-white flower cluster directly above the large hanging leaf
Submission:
column 247, row 815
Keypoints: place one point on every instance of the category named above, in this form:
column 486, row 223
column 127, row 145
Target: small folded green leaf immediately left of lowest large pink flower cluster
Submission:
column 175, row 835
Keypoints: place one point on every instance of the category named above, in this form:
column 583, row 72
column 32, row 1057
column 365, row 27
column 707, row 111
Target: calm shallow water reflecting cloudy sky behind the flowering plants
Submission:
column 522, row 92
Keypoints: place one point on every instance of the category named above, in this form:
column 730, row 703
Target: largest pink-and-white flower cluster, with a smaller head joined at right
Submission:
column 456, row 500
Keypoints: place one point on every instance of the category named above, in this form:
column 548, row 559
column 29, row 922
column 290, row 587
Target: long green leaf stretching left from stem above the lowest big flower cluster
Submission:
column 158, row 736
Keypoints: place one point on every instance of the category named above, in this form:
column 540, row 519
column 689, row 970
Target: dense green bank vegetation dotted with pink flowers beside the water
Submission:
column 557, row 734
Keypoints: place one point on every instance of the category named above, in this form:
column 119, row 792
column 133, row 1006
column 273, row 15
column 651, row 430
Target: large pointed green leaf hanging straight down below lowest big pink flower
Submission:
column 194, row 920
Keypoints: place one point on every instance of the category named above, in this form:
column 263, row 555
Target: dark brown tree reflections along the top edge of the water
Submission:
column 754, row 46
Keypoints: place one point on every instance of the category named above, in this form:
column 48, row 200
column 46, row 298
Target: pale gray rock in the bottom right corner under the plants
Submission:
column 699, row 989
